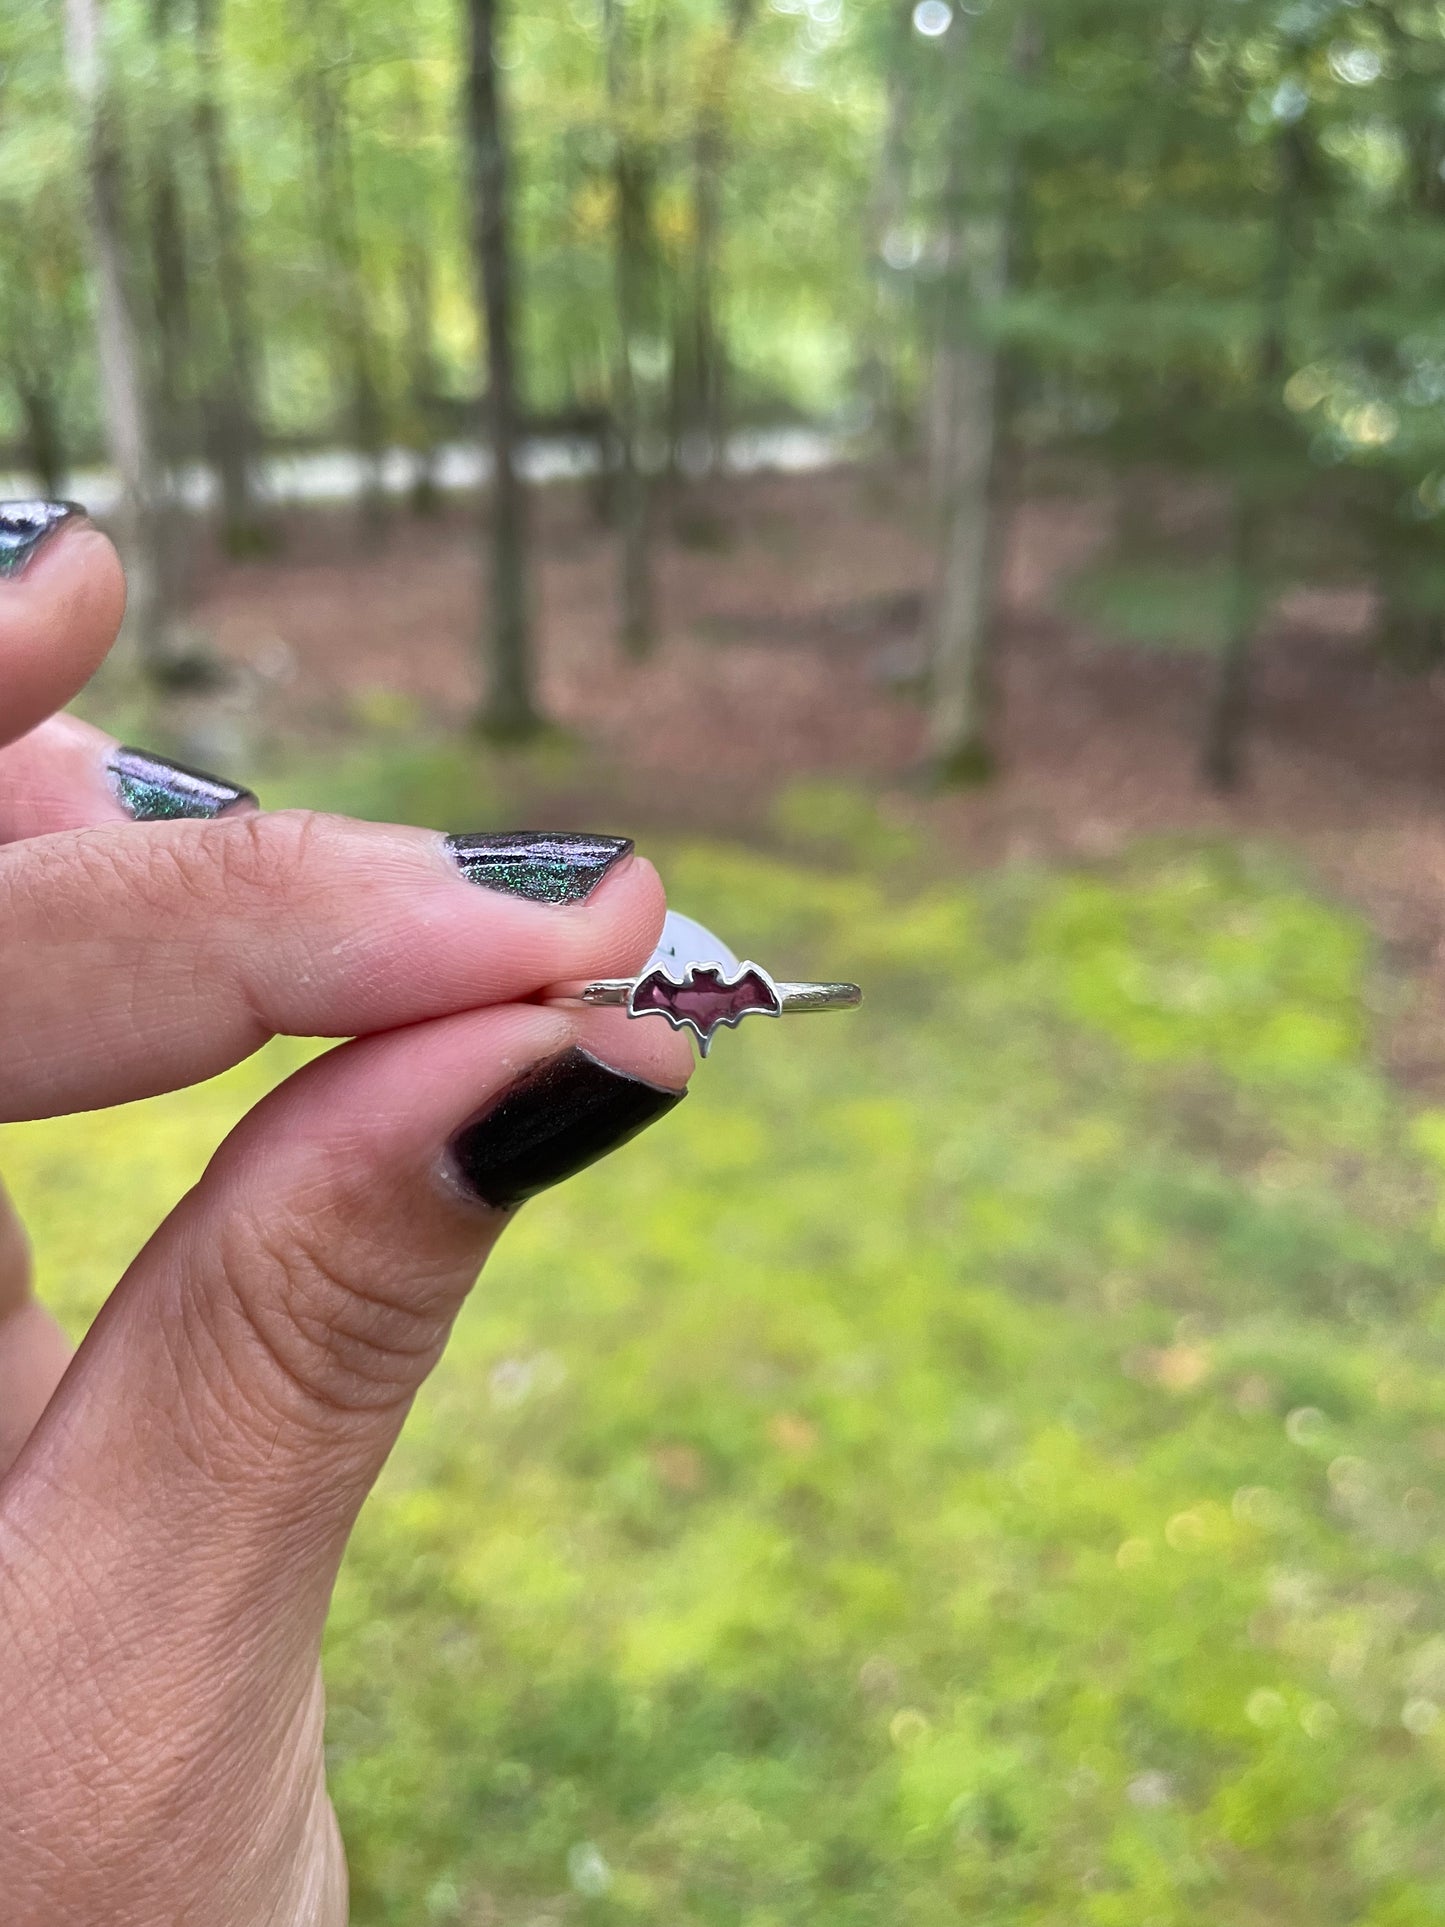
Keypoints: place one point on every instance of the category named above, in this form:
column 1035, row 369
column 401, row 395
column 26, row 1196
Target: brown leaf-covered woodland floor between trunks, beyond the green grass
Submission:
column 789, row 637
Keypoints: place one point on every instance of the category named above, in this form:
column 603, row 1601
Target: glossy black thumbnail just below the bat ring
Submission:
column 552, row 1124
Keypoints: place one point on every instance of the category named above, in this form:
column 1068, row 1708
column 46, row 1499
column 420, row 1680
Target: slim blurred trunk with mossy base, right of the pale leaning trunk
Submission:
column 230, row 413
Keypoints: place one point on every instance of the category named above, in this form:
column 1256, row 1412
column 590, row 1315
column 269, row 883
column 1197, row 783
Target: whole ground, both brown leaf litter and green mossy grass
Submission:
column 984, row 1458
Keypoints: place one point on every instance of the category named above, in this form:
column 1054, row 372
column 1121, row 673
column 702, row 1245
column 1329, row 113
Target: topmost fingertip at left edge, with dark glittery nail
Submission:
column 63, row 596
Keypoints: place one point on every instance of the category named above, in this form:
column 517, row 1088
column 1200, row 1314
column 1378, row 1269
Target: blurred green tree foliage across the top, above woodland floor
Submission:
column 1224, row 226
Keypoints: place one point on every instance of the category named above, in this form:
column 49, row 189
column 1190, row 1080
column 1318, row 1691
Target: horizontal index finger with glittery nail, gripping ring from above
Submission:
column 142, row 963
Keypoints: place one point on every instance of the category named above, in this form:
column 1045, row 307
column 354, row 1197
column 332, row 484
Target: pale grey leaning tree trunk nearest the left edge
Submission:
column 128, row 413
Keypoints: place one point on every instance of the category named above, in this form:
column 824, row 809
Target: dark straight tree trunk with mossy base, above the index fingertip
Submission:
column 510, row 708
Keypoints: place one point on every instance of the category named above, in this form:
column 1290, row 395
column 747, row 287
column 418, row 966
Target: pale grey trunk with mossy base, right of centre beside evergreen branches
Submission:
column 968, row 452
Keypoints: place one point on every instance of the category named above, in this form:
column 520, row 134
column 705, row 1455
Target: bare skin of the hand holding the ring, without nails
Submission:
column 176, row 1498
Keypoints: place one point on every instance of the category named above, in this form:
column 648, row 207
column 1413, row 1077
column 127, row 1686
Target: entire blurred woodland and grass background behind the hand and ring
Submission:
column 962, row 483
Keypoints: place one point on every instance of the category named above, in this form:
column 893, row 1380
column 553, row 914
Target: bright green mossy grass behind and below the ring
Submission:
column 982, row 1462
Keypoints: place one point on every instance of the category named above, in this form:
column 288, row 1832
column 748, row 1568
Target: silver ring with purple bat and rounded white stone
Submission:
column 698, row 986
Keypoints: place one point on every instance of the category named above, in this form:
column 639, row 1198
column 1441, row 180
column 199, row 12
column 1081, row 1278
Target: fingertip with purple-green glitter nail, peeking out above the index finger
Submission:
column 66, row 776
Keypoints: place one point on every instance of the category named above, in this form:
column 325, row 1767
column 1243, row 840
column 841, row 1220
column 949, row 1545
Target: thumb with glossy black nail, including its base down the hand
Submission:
column 194, row 1483
